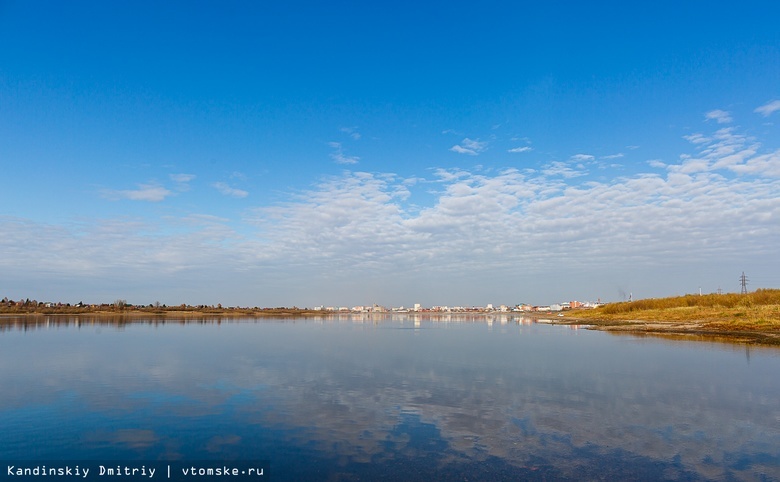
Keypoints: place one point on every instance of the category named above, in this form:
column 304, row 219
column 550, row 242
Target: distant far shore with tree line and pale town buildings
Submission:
column 28, row 305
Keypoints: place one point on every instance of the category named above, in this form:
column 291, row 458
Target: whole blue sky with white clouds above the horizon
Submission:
column 346, row 153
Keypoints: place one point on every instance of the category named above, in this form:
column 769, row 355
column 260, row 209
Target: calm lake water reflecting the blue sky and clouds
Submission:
column 392, row 399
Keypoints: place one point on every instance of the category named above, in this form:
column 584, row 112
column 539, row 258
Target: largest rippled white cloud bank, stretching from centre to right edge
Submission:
column 511, row 219
